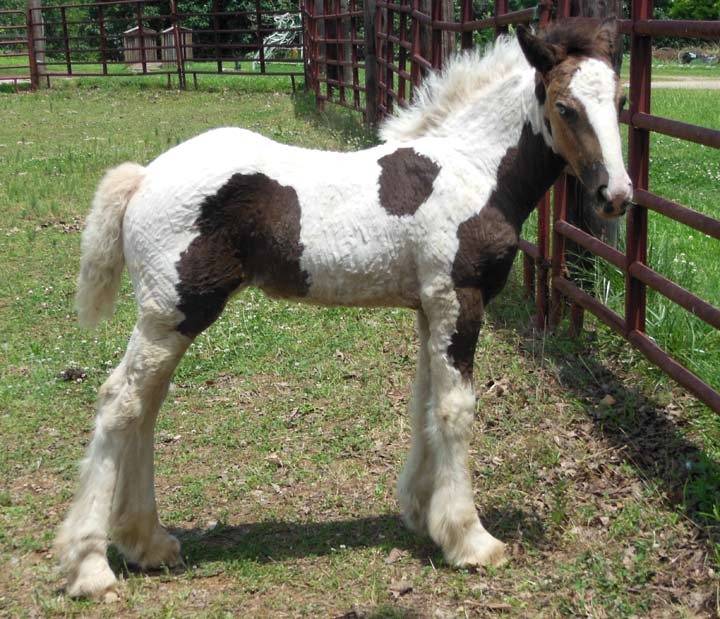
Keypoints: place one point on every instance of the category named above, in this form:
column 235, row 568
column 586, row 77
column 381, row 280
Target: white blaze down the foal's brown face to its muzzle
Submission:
column 594, row 85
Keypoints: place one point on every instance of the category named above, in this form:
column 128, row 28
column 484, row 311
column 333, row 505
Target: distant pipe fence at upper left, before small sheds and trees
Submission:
column 124, row 38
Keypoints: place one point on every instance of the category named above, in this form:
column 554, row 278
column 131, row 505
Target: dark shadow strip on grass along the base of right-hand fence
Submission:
column 647, row 432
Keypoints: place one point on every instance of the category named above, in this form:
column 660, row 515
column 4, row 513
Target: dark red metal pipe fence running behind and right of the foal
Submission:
column 400, row 40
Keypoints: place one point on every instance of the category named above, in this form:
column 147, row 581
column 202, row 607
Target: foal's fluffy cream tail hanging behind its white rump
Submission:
column 102, row 258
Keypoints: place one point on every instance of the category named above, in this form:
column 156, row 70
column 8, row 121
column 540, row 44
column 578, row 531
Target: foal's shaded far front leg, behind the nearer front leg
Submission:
column 415, row 483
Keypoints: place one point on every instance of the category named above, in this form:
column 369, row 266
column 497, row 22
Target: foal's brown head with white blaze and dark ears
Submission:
column 580, row 96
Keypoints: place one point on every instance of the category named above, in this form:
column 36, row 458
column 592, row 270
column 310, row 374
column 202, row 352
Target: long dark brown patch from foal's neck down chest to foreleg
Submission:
column 488, row 241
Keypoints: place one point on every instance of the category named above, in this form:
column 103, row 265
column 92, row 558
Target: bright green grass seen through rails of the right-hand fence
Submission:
column 689, row 174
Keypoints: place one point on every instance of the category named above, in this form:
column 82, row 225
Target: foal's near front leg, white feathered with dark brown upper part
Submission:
column 452, row 520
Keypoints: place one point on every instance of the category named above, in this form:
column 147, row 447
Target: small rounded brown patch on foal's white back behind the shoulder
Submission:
column 406, row 181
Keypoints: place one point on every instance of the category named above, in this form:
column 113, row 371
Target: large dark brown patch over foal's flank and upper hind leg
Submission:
column 249, row 234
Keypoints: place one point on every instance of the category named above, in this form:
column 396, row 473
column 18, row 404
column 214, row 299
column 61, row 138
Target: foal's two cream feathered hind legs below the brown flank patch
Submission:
column 117, row 472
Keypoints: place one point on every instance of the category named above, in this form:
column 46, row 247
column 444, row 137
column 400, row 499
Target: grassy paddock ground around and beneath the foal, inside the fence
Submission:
column 278, row 447
